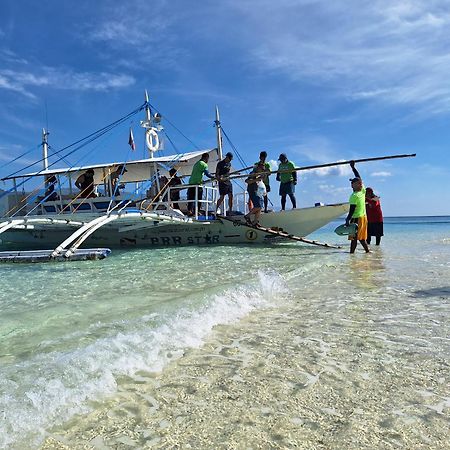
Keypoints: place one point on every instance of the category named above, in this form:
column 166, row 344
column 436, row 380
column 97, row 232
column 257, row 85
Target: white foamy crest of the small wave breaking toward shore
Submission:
column 51, row 387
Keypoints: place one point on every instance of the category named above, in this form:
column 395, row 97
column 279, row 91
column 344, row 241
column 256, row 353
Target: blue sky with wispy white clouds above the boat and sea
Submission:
column 320, row 81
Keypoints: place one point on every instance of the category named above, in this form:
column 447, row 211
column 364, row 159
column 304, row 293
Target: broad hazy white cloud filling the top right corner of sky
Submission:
column 391, row 52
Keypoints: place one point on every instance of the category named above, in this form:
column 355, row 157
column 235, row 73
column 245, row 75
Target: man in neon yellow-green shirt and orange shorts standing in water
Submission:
column 357, row 212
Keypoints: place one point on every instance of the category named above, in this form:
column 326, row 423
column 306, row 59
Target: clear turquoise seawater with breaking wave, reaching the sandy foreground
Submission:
column 337, row 350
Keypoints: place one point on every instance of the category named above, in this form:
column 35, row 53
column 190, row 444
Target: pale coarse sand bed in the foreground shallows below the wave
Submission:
column 278, row 379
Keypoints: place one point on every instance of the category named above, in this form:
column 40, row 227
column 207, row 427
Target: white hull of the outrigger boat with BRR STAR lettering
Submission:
column 134, row 233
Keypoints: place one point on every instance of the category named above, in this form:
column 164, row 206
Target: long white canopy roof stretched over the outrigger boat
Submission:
column 137, row 170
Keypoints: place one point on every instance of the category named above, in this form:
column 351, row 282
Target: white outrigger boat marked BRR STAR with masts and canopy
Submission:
column 142, row 215
